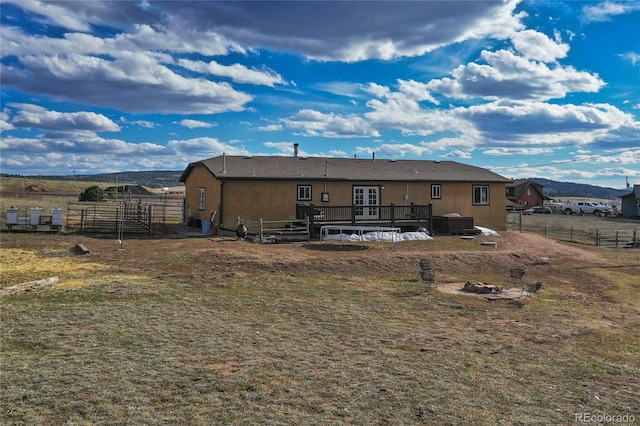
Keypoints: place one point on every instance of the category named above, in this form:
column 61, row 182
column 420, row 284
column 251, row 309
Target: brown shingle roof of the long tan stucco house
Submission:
column 327, row 168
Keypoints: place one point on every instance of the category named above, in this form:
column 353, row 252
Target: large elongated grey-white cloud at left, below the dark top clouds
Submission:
column 143, row 85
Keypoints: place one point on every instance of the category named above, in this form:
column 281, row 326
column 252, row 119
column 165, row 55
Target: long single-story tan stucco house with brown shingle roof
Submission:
column 273, row 188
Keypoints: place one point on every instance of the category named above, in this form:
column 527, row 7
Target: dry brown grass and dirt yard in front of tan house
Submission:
column 205, row 331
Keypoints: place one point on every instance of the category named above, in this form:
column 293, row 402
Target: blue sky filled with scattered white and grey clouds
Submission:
column 526, row 89
